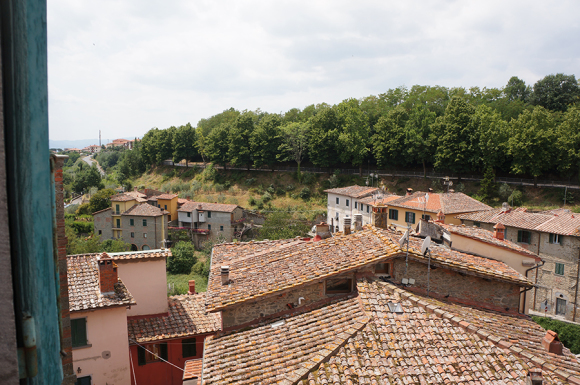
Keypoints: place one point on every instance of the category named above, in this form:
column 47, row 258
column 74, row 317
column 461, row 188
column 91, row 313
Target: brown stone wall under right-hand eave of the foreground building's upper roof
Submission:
column 464, row 288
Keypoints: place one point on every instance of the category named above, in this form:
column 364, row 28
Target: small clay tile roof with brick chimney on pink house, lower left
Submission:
column 83, row 286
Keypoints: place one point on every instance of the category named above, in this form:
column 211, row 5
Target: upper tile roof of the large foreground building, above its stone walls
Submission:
column 280, row 266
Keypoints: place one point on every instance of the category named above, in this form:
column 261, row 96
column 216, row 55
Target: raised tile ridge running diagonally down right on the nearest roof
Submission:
column 497, row 341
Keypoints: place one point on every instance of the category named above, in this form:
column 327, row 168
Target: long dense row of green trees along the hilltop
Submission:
column 518, row 129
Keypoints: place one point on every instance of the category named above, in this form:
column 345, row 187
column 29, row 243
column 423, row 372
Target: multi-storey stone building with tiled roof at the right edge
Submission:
column 555, row 238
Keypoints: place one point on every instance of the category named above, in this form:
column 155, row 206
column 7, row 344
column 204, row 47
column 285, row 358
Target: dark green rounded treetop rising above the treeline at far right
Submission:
column 556, row 92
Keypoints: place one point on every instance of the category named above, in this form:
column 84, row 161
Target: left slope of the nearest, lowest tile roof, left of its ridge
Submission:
column 268, row 354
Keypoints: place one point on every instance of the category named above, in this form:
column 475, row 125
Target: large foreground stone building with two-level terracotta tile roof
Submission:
column 353, row 309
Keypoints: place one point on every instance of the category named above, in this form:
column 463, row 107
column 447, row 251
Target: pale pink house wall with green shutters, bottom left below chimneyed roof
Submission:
column 106, row 356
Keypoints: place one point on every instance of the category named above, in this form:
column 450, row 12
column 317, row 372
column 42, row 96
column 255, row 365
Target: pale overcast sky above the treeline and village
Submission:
column 124, row 67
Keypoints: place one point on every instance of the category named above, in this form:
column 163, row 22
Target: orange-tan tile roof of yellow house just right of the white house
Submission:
column 451, row 203
